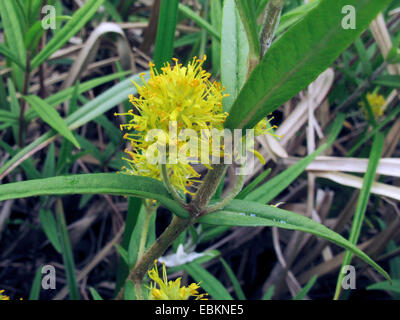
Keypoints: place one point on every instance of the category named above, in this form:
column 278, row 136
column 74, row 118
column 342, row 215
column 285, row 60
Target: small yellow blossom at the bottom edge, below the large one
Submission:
column 171, row 290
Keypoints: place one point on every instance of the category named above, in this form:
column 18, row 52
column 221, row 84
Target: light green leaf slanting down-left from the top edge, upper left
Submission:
column 79, row 19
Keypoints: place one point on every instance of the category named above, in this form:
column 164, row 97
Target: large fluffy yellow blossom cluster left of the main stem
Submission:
column 181, row 98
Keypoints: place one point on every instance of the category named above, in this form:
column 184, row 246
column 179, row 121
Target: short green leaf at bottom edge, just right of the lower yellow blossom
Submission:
column 207, row 281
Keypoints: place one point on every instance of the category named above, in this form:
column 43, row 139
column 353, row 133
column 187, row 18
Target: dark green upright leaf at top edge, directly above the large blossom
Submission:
column 164, row 46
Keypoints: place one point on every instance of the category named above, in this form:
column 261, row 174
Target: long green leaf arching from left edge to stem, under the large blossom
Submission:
column 96, row 183
